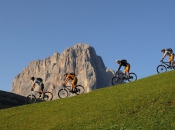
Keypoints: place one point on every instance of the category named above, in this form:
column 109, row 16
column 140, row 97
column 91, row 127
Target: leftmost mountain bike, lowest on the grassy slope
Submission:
column 36, row 96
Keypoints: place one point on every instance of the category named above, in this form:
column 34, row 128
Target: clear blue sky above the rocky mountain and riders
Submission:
column 135, row 30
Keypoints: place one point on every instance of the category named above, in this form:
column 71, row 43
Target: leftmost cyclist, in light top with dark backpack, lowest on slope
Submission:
column 37, row 81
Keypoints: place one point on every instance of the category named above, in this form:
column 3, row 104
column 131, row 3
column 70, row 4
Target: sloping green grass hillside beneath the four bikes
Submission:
column 147, row 104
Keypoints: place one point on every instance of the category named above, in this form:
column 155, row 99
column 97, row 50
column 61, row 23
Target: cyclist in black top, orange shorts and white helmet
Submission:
column 124, row 63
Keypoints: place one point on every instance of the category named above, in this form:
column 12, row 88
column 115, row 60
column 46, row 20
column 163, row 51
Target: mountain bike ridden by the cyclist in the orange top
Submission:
column 65, row 91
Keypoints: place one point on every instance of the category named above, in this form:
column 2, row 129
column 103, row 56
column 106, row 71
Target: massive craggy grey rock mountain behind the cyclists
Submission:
column 81, row 59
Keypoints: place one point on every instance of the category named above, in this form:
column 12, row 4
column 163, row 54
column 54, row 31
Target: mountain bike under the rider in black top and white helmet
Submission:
column 123, row 78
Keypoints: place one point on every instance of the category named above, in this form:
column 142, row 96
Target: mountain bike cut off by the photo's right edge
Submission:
column 164, row 66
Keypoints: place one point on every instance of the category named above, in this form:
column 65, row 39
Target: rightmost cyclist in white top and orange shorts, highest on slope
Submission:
column 170, row 53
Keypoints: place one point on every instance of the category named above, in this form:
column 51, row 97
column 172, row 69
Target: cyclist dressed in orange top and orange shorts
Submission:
column 71, row 76
